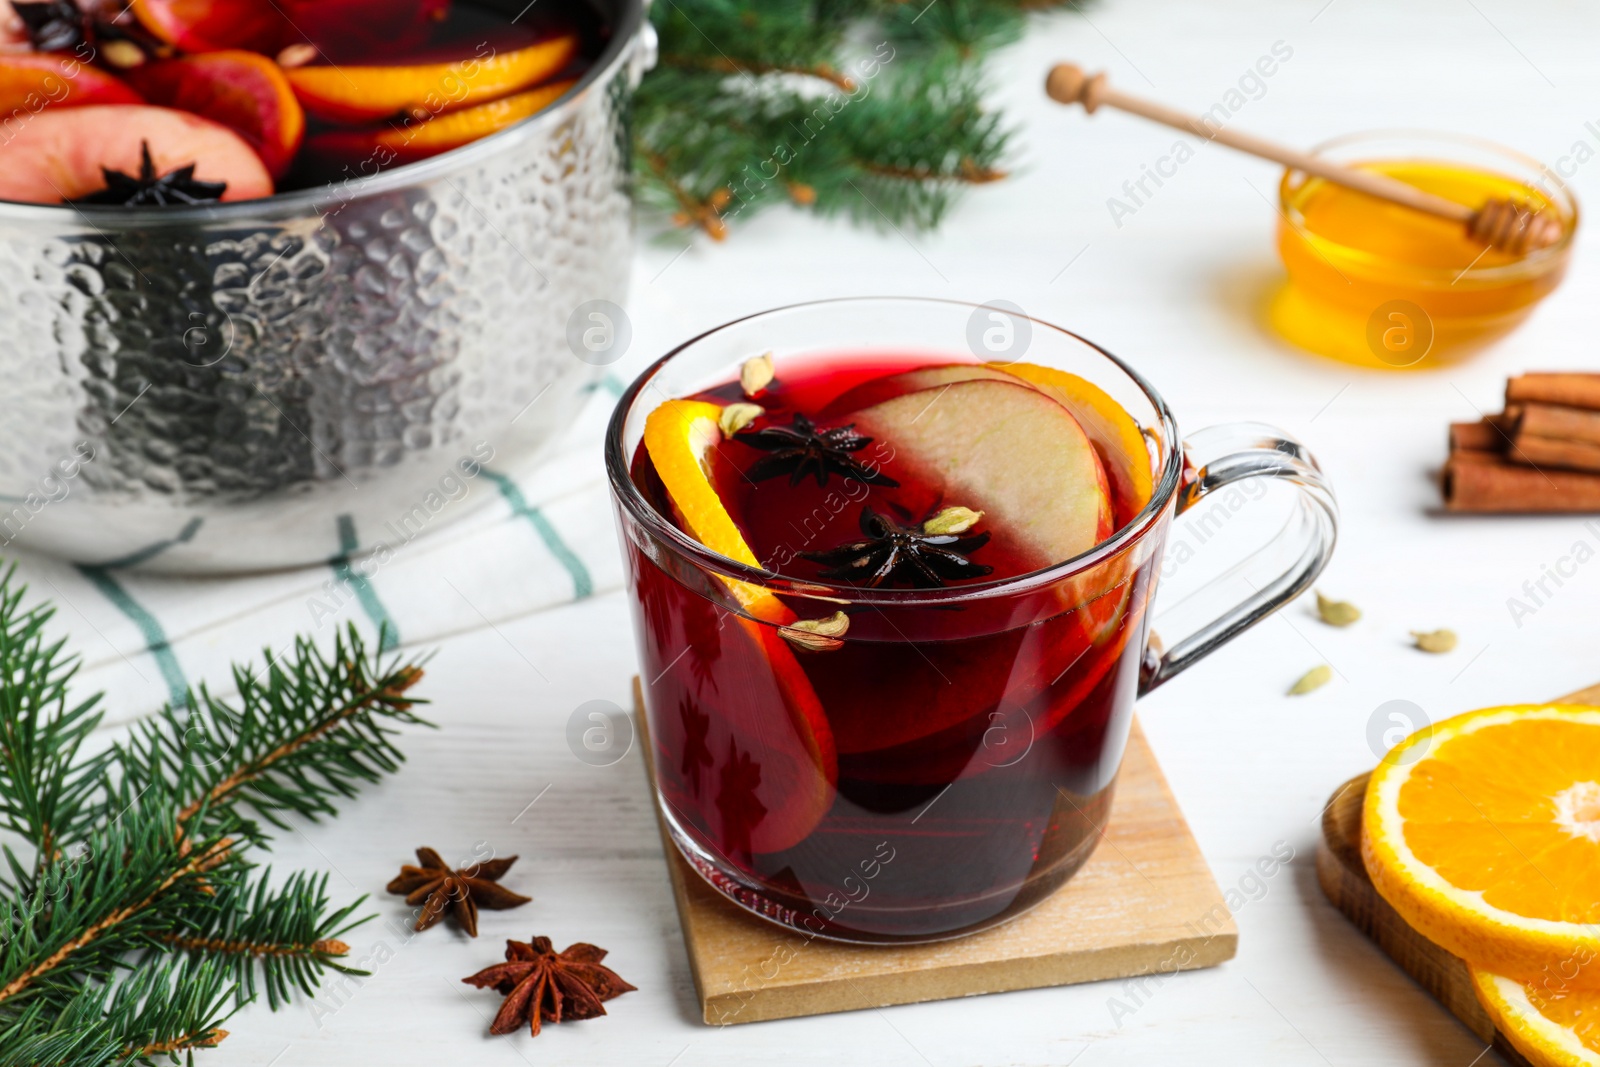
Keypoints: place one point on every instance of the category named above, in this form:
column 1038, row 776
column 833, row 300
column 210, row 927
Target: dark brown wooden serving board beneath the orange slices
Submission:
column 1348, row 889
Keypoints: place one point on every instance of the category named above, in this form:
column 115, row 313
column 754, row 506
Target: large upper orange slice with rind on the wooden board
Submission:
column 1484, row 833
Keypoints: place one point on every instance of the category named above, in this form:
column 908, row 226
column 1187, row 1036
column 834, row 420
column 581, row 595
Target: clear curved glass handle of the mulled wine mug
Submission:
column 1222, row 457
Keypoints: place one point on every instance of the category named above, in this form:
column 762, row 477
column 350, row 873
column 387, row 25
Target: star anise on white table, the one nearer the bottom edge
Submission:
column 546, row 986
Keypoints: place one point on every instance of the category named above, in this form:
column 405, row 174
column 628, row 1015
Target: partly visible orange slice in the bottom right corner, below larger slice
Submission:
column 1551, row 1028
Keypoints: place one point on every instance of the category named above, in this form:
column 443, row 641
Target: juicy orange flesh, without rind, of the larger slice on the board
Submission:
column 1486, row 812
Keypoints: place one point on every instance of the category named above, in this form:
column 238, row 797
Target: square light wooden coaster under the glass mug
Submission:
column 1143, row 905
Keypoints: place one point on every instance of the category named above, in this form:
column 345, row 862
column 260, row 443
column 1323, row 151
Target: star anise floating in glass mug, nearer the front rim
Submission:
column 897, row 554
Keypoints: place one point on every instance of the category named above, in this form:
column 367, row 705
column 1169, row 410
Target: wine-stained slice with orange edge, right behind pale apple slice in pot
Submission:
column 242, row 90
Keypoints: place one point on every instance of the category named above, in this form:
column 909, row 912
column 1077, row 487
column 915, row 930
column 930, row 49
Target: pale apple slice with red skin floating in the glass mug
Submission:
column 1007, row 450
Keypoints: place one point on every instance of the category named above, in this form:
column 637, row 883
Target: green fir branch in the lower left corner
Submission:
column 142, row 850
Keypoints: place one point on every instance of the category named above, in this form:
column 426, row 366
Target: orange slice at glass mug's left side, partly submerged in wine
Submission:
column 798, row 761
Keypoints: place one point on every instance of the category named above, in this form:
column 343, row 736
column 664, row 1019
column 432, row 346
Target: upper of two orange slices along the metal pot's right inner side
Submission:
column 361, row 95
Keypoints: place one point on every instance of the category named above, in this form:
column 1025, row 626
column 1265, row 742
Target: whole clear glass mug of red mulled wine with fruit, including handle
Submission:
column 892, row 567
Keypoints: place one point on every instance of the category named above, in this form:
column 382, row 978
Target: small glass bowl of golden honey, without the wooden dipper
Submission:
column 1380, row 286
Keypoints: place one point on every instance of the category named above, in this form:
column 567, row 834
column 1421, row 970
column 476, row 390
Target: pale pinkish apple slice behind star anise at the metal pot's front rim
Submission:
column 58, row 154
